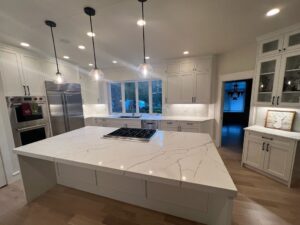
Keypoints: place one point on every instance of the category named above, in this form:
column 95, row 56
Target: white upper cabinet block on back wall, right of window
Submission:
column 189, row 81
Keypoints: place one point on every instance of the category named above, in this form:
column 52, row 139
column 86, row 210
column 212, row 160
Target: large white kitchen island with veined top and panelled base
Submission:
column 176, row 173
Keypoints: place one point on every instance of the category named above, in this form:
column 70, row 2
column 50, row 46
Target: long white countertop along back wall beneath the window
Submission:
column 154, row 117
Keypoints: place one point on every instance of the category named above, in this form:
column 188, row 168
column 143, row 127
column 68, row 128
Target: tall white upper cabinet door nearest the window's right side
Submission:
column 173, row 89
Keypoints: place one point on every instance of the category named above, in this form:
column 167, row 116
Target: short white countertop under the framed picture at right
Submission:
column 280, row 133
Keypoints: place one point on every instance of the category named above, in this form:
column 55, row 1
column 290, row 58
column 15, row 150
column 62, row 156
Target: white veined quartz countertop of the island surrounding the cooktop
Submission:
column 189, row 160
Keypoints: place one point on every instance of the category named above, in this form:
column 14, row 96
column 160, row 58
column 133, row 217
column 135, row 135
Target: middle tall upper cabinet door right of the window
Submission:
column 187, row 88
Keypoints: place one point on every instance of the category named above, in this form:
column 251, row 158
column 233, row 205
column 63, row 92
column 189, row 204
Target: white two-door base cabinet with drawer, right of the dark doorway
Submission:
column 271, row 155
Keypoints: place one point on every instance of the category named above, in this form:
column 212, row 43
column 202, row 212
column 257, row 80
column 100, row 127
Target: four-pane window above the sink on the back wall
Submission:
column 136, row 96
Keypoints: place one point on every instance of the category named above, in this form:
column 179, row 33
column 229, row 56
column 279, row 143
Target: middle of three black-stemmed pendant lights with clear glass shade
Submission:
column 95, row 72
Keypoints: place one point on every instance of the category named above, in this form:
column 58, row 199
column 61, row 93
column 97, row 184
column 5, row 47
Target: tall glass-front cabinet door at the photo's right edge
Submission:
column 289, row 80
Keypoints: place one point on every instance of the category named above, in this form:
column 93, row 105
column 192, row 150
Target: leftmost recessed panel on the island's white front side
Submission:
column 76, row 174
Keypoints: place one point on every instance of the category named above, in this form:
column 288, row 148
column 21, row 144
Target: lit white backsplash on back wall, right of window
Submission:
column 199, row 110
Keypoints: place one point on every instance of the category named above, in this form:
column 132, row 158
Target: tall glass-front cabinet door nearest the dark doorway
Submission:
column 266, row 81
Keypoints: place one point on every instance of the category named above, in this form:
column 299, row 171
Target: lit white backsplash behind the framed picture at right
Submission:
column 261, row 113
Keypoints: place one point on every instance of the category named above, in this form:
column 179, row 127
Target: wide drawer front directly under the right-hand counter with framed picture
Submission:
column 279, row 141
